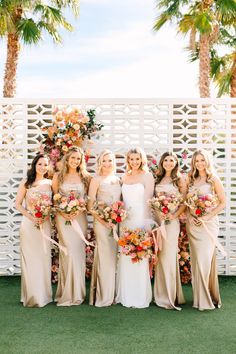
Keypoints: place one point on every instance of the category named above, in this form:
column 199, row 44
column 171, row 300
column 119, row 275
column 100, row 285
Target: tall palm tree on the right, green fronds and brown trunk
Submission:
column 201, row 19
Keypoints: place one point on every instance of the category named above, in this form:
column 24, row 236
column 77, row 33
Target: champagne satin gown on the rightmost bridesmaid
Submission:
column 206, row 295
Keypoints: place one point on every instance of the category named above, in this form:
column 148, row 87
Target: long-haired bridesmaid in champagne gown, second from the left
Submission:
column 73, row 176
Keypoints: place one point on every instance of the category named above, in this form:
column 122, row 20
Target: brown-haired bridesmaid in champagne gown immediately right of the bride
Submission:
column 167, row 284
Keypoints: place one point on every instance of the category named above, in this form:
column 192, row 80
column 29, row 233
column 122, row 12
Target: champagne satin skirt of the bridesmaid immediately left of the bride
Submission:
column 102, row 289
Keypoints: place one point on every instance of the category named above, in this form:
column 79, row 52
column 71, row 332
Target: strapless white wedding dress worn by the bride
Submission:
column 133, row 279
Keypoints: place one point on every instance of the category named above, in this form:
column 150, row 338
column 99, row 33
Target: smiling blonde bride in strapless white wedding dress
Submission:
column 133, row 280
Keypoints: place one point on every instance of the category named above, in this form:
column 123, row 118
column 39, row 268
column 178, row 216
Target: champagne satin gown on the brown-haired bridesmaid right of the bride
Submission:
column 167, row 284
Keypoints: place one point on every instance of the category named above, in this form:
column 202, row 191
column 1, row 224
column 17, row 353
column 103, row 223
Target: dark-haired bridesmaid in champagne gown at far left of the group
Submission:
column 36, row 288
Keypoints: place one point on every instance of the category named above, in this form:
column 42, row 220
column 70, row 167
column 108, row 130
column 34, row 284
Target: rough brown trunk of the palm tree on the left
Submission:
column 13, row 48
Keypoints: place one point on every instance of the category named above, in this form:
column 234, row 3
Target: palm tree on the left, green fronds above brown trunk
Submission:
column 26, row 21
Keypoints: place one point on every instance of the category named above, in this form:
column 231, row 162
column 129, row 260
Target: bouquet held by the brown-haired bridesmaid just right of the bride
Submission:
column 166, row 203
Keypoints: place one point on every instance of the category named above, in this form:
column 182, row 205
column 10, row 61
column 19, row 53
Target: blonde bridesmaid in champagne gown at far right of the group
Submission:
column 201, row 178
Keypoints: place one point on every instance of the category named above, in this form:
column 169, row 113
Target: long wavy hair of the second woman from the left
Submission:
column 81, row 169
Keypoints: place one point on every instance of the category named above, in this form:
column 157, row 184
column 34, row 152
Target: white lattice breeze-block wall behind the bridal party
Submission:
column 155, row 124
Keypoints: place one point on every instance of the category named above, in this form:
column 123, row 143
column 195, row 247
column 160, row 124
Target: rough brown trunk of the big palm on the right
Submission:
column 204, row 66
